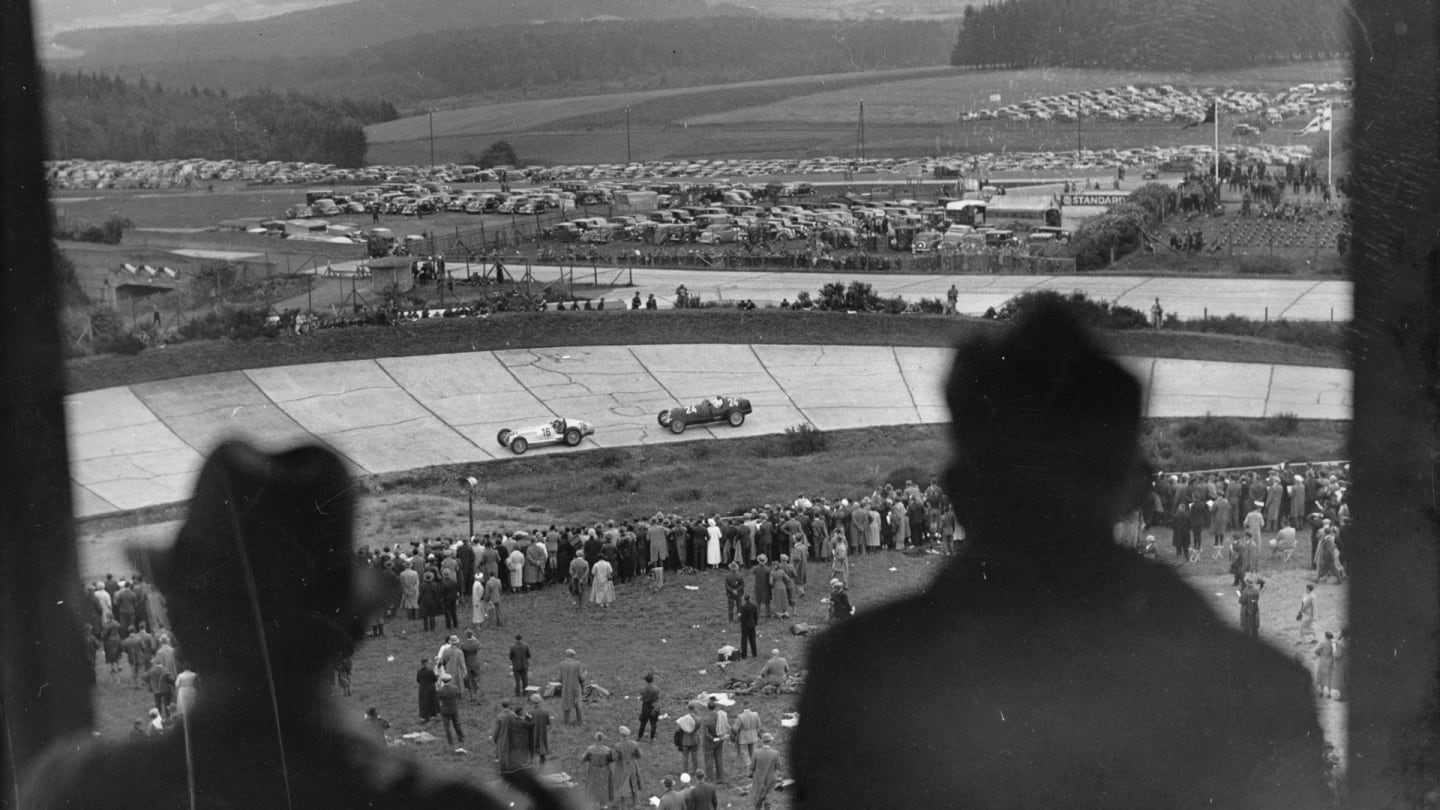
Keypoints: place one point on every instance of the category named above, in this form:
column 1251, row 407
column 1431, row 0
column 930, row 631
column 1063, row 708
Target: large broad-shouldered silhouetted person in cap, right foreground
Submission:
column 1040, row 646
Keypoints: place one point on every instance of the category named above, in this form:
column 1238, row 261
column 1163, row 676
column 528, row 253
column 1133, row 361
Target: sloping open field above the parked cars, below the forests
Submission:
column 908, row 113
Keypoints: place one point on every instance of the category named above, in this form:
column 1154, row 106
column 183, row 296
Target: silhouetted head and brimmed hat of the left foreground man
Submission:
column 264, row 566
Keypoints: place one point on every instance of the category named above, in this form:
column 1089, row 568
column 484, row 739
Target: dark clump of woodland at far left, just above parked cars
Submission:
column 90, row 116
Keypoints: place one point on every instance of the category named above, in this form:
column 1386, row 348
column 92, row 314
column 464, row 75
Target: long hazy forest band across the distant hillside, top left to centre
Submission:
column 558, row 60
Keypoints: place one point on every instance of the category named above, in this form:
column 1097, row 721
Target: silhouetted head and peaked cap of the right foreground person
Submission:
column 1045, row 424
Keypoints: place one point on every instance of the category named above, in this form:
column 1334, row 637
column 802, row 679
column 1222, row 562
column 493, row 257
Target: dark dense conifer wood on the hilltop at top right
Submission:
column 1186, row 35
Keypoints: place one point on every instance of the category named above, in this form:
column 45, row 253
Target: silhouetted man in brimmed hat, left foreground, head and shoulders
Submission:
column 266, row 596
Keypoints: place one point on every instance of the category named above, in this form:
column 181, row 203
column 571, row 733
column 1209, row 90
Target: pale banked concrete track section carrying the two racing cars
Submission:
column 143, row 445
